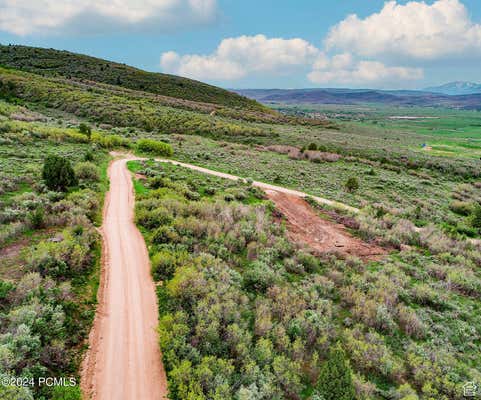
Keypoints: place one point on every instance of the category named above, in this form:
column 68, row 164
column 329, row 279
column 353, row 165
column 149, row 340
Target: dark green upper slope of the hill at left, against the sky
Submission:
column 52, row 62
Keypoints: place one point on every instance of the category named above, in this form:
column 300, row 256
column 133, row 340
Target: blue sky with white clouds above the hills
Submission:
column 265, row 43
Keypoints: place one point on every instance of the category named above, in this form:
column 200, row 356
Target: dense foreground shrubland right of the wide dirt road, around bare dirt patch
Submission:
column 245, row 313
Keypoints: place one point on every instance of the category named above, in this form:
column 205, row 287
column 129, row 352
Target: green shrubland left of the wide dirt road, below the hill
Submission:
column 49, row 251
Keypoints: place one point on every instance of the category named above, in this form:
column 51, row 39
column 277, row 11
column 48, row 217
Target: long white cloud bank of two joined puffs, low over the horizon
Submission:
column 236, row 58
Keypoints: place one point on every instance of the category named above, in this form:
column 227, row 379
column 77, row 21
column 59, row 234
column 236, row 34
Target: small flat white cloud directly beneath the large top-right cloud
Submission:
column 372, row 73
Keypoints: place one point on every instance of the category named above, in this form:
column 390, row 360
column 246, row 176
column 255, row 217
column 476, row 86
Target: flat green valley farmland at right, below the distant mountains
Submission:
column 448, row 132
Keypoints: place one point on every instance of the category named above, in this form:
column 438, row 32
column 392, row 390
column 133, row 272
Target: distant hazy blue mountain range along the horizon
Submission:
column 362, row 96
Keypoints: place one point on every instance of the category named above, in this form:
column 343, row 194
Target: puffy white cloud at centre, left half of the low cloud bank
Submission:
column 238, row 57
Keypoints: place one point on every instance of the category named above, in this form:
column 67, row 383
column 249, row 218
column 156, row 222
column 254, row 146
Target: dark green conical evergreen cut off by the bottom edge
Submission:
column 335, row 378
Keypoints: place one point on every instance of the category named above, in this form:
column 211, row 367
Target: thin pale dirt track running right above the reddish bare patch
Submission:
column 264, row 186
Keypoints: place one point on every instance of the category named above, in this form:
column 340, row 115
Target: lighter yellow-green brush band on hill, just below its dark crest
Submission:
column 105, row 106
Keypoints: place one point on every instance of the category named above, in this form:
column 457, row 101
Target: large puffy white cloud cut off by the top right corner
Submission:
column 415, row 29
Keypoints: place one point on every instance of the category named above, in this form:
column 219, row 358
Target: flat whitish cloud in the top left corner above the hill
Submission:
column 25, row 17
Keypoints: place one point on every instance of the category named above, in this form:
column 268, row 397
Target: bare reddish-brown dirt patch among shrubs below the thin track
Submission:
column 305, row 226
